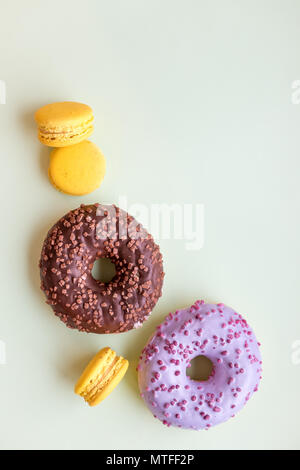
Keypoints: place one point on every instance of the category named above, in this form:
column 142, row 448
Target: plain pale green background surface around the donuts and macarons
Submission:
column 193, row 105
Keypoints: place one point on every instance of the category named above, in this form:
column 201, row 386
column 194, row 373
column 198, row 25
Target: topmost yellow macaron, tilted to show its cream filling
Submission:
column 65, row 123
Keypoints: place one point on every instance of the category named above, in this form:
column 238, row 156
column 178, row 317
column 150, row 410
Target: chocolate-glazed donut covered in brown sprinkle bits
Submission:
column 69, row 252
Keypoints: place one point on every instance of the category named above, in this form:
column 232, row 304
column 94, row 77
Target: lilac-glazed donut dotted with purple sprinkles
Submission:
column 214, row 331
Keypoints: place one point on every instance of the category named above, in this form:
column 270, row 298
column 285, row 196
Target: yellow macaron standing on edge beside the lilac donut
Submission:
column 101, row 376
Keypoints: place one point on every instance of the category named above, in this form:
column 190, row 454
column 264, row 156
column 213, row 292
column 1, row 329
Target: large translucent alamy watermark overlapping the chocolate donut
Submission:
column 164, row 221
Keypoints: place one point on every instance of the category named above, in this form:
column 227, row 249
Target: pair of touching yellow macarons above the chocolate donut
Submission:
column 77, row 166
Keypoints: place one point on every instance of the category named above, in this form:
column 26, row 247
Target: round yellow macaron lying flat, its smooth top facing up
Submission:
column 78, row 169
